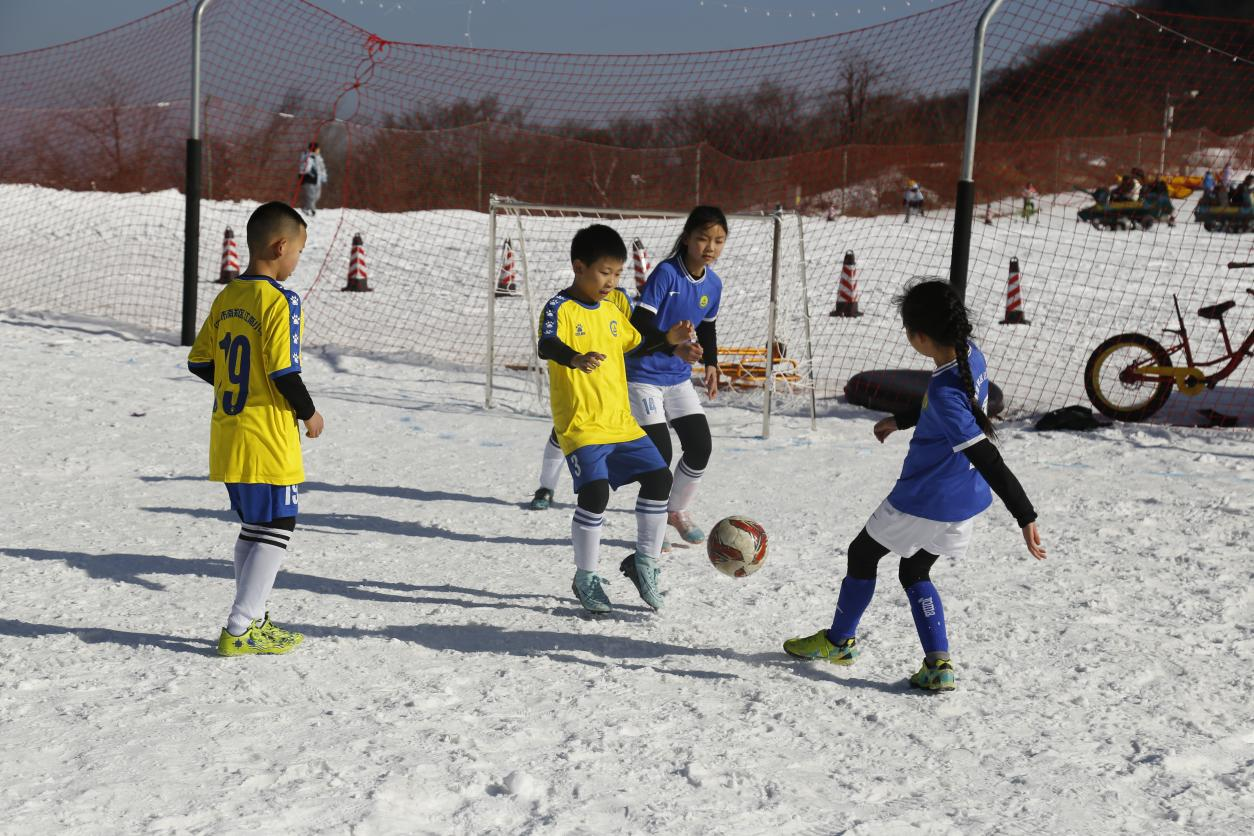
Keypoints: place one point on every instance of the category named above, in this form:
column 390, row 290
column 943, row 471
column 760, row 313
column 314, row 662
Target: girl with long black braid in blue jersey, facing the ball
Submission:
column 951, row 472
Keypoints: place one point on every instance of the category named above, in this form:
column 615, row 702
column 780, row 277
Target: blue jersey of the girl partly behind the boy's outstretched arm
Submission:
column 673, row 295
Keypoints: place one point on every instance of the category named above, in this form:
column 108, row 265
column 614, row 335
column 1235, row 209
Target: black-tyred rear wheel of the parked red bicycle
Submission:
column 1110, row 385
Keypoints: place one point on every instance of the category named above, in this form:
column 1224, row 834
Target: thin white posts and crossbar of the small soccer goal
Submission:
column 505, row 207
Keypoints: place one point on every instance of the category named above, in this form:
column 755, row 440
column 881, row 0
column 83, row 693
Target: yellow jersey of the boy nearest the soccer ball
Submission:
column 591, row 408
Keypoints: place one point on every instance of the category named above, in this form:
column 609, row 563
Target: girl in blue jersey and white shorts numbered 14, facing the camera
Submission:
column 684, row 286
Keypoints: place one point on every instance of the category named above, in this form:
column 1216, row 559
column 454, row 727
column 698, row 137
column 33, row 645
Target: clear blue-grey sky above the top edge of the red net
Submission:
column 532, row 26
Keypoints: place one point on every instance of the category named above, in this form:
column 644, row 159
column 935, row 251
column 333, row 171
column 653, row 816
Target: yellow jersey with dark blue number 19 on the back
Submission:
column 253, row 337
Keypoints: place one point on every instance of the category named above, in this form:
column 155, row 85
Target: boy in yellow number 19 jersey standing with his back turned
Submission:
column 250, row 350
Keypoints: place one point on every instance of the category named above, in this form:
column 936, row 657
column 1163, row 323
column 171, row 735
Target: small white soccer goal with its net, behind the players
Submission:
column 764, row 321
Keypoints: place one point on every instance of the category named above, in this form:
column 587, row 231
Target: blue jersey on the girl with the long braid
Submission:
column 937, row 482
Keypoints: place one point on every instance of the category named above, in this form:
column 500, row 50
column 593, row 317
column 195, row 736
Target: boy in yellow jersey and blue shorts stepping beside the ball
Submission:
column 585, row 342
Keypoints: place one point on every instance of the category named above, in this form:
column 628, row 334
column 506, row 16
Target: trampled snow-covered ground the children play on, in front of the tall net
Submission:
column 451, row 685
